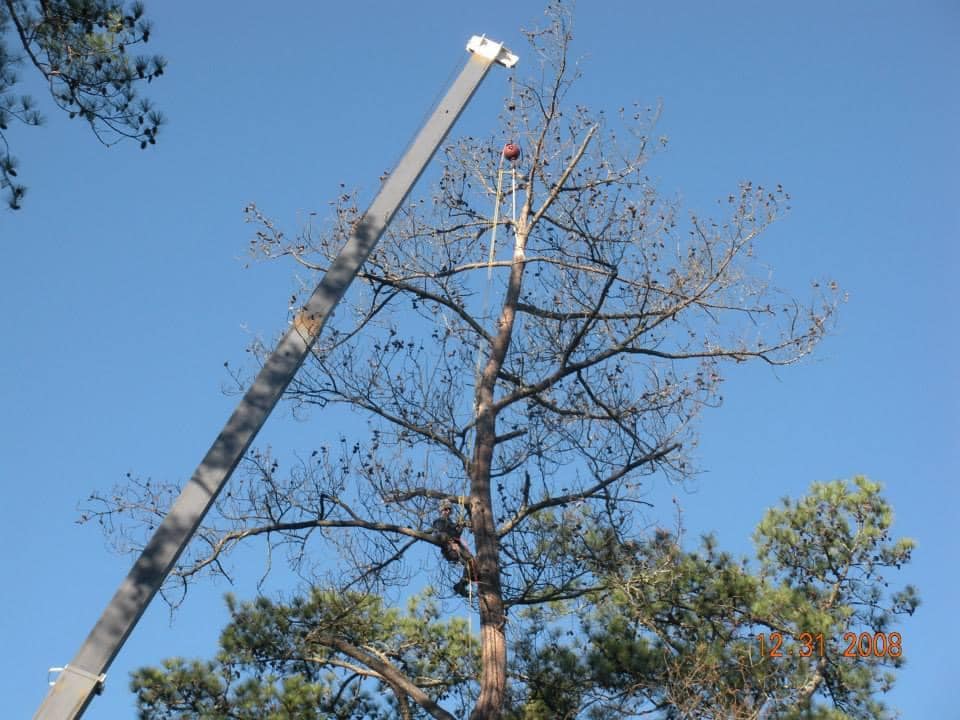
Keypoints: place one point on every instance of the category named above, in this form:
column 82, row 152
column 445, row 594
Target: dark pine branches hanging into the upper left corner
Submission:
column 84, row 50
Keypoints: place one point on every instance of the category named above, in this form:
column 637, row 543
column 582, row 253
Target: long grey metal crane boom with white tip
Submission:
column 84, row 676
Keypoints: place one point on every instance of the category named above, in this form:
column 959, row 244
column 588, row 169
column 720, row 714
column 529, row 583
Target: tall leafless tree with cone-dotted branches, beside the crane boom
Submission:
column 535, row 402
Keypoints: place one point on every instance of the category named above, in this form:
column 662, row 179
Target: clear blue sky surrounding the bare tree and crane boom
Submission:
column 123, row 288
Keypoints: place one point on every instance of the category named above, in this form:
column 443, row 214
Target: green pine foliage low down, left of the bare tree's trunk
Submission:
column 276, row 661
